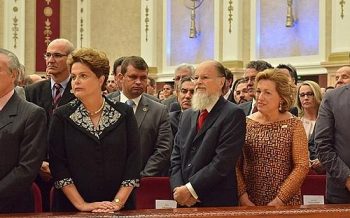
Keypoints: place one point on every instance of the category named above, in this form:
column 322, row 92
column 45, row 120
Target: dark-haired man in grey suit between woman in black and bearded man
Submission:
column 152, row 117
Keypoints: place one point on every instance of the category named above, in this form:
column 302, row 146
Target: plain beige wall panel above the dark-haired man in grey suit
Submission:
column 115, row 27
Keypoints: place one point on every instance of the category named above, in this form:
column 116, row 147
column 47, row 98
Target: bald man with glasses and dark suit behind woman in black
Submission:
column 51, row 93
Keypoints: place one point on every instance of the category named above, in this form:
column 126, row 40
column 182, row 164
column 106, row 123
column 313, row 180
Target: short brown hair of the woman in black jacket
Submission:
column 97, row 61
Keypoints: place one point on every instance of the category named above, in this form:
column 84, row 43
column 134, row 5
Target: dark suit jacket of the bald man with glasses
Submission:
column 40, row 93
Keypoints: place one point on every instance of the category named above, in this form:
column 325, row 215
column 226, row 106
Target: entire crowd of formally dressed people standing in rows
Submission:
column 222, row 141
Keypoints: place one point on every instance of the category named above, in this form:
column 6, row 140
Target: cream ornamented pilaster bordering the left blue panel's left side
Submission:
column 148, row 34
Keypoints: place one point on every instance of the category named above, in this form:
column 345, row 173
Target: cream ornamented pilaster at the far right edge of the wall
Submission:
column 340, row 41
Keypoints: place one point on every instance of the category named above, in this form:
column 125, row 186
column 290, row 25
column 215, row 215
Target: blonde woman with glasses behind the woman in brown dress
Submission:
column 309, row 98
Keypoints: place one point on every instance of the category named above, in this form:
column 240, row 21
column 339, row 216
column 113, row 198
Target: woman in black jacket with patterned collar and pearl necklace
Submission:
column 94, row 142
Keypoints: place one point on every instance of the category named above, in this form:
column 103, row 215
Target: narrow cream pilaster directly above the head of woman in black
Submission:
column 83, row 23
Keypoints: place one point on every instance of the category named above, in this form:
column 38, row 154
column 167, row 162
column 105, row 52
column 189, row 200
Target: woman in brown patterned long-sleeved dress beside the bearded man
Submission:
column 275, row 159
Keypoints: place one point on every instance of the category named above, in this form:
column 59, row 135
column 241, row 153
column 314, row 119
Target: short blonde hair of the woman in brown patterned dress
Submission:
column 285, row 89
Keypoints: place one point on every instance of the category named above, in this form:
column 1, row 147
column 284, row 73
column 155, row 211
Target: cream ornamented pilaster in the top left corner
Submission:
column 14, row 27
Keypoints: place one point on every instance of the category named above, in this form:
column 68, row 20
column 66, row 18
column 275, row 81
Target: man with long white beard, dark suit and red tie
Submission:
column 205, row 152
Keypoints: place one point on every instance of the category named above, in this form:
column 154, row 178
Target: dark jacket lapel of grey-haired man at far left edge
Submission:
column 9, row 111
